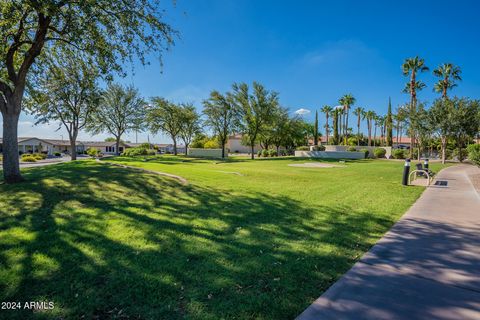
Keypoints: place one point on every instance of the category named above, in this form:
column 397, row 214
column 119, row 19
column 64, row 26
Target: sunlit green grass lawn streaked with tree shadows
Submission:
column 243, row 240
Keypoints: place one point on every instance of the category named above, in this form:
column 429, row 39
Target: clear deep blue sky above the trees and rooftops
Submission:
column 311, row 52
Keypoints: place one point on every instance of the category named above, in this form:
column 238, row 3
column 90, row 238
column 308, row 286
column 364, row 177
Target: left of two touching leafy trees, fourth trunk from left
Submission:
column 166, row 117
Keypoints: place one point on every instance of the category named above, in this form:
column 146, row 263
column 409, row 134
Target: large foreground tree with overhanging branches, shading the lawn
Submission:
column 111, row 31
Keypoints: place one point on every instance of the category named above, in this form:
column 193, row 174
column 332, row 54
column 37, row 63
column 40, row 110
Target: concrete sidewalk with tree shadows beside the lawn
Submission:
column 426, row 267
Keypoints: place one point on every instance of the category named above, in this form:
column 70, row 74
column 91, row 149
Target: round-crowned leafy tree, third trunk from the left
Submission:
column 117, row 113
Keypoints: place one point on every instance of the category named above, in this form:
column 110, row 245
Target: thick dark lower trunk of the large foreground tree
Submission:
column 11, row 166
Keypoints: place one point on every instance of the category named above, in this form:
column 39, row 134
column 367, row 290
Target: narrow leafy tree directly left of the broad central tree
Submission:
column 219, row 111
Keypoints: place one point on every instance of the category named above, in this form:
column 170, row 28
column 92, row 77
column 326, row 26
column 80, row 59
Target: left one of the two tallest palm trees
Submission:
column 411, row 67
